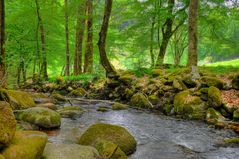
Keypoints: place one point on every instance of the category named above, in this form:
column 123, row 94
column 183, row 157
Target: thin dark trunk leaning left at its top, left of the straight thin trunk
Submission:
column 44, row 55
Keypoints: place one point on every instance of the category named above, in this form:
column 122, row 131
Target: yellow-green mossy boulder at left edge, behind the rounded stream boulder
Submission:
column 17, row 99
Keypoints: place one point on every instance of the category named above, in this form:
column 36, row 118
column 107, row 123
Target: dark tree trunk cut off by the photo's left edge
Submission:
column 3, row 78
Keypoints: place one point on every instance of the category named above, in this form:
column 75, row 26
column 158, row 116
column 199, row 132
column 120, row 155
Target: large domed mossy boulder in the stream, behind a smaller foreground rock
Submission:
column 116, row 134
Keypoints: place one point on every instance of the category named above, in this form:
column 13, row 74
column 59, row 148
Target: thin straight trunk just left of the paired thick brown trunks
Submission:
column 67, row 69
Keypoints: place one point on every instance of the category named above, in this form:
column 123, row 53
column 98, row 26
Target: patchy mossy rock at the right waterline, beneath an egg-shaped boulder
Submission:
column 213, row 116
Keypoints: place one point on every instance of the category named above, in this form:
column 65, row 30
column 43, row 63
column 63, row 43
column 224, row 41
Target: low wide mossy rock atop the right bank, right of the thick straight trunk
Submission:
column 212, row 81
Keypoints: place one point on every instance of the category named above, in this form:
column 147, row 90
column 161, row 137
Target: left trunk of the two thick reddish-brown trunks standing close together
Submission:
column 80, row 27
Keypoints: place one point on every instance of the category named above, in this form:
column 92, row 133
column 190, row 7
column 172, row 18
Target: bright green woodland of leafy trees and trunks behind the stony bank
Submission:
column 47, row 38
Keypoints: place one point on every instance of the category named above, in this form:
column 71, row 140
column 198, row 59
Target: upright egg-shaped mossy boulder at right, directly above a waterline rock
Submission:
column 214, row 97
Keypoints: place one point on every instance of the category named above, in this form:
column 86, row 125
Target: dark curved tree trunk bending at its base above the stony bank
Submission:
column 110, row 70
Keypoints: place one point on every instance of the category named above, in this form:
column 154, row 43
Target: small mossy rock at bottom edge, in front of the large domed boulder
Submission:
column 109, row 150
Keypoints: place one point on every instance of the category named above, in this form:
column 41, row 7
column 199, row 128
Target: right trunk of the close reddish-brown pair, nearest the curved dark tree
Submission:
column 88, row 62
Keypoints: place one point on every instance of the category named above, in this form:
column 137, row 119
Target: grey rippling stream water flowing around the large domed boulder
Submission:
column 158, row 136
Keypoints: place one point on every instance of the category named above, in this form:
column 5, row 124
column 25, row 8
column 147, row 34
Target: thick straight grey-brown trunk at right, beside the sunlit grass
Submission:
column 192, row 33
